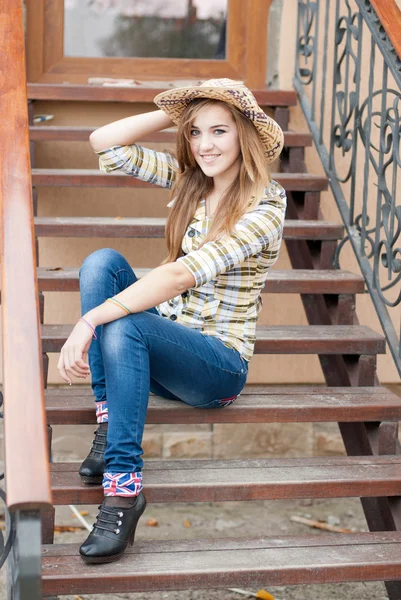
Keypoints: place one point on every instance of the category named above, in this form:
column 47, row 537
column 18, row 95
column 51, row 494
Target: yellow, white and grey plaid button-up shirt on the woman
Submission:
column 229, row 273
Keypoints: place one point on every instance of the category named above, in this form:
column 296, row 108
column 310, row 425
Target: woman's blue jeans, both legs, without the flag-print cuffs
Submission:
column 146, row 352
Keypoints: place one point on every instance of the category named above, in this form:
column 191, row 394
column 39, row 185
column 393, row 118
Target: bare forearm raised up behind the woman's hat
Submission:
column 130, row 130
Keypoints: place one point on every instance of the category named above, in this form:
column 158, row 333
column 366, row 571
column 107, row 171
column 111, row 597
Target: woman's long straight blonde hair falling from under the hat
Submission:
column 192, row 184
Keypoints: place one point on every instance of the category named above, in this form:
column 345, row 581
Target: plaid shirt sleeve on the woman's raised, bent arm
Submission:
column 148, row 165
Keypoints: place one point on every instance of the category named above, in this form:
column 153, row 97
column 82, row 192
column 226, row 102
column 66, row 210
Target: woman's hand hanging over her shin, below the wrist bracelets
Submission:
column 74, row 353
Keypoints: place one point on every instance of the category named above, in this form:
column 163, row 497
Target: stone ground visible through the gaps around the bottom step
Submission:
column 236, row 519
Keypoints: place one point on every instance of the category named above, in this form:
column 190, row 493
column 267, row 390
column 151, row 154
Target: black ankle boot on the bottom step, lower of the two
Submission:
column 113, row 531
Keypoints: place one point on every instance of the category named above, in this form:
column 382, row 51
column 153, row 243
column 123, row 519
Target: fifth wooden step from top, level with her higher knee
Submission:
column 298, row 281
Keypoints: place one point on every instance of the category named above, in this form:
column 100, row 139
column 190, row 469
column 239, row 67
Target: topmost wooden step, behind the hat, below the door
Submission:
column 143, row 93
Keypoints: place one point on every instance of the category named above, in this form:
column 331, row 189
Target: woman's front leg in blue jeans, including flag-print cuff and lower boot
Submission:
column 136, row 351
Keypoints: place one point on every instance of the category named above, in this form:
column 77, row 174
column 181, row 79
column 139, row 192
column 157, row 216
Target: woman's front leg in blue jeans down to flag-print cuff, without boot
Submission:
column 193, row 367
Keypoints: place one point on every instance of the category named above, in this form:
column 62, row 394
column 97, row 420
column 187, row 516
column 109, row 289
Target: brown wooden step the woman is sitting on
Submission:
column 257, row 404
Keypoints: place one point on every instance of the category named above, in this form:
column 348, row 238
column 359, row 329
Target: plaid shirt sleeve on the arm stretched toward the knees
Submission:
column 257, row 231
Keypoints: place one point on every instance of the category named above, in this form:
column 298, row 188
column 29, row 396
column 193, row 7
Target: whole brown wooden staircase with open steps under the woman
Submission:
column 367, row 413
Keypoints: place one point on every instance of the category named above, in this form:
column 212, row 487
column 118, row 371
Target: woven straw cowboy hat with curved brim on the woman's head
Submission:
column 174, row 101
